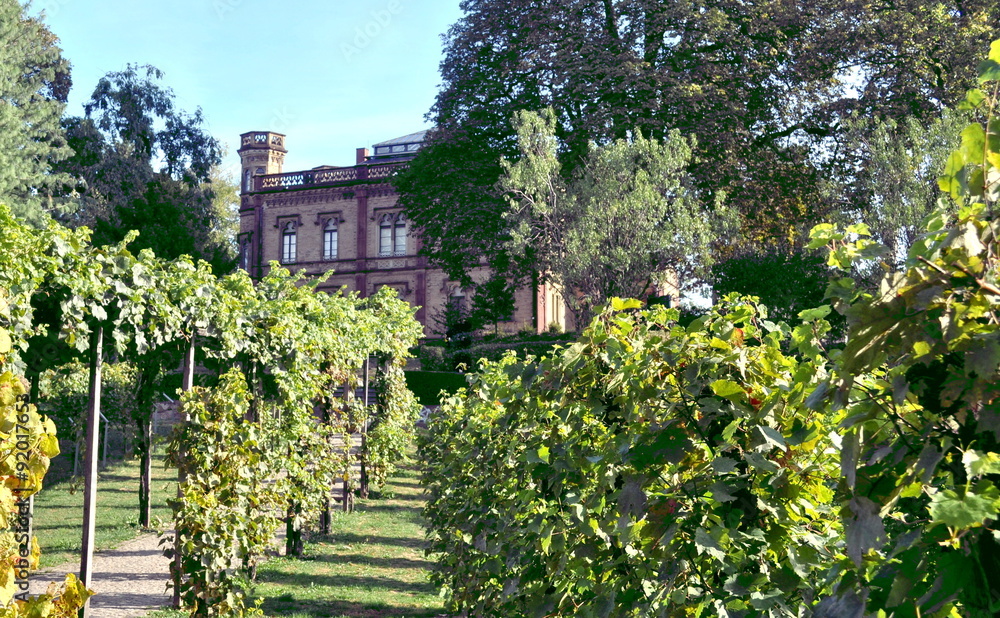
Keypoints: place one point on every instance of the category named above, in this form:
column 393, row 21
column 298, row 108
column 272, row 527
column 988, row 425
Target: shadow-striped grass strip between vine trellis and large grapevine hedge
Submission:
column 371, row 565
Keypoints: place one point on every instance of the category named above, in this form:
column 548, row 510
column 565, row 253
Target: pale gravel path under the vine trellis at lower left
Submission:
column 129, row 580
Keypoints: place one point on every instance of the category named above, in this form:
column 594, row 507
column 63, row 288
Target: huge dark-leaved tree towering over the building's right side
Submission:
column 765, row 88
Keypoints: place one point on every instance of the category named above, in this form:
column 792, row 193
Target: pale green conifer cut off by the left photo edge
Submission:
column 34, row 85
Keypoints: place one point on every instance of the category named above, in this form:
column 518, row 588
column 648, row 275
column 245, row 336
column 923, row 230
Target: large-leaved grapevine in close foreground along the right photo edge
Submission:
column 918, row 381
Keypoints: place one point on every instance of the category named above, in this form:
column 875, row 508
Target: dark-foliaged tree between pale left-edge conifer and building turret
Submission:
column 142, row 164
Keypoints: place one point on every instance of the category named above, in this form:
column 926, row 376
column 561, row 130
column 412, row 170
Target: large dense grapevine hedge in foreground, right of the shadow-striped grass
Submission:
column 647, row 469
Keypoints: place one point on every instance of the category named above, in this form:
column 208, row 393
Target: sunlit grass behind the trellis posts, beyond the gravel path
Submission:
column 58, row 520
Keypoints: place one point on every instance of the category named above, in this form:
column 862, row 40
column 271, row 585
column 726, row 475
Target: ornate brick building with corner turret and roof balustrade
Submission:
column 346, row 219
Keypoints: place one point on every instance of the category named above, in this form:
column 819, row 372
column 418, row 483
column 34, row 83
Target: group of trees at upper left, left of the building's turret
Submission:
column 132, row 161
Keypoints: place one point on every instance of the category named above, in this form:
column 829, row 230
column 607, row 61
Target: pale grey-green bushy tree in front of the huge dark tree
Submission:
column 627, row 221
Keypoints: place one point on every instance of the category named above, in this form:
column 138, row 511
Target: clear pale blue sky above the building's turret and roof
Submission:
column 332, row 75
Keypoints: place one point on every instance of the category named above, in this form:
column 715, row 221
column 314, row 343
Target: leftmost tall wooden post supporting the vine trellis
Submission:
column 90, row 465
